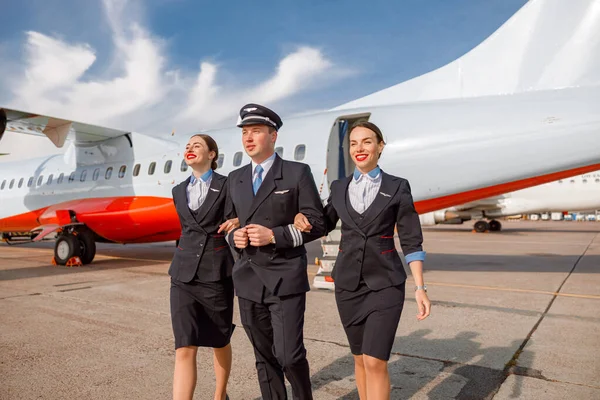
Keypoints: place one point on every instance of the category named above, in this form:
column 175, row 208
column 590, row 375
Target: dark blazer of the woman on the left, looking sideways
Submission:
column 202, row 251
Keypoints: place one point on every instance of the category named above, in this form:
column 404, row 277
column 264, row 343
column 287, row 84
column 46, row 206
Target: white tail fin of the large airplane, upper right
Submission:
column 547, row 44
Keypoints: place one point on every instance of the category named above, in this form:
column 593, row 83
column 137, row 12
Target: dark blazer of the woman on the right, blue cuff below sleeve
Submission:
column 367, row 246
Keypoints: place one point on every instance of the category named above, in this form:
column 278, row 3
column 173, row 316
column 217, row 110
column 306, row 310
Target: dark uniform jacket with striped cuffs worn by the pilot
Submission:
column 287, row 189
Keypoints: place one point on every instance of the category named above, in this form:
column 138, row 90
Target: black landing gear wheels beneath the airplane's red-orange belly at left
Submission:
column 75, row 243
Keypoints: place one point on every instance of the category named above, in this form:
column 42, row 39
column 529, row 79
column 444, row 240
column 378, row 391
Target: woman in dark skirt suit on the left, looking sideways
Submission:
column 201, row 284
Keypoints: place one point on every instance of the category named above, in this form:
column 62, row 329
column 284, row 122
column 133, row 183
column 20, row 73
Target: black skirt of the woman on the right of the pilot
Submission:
column 370, row 318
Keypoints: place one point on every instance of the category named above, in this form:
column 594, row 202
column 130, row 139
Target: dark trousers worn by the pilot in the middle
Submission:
column 275, row 329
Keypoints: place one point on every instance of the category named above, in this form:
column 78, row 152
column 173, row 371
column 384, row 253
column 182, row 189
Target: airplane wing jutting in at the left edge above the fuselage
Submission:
column 56, row 129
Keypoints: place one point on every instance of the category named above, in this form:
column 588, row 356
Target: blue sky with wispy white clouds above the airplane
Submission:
column 160, row 65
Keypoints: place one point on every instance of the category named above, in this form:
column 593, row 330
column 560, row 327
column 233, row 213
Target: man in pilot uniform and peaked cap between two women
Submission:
column 270, row 276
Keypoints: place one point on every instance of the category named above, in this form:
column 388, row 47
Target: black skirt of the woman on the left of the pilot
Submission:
column 202, row 313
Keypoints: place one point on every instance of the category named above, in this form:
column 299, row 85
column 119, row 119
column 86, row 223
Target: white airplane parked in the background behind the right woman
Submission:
column 578, row 193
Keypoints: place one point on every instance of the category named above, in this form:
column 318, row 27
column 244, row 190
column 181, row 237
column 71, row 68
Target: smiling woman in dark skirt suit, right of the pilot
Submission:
column 368, row 273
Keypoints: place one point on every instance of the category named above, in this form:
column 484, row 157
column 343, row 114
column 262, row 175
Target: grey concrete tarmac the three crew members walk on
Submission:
column 515, row 315
